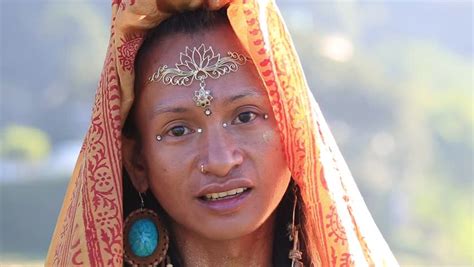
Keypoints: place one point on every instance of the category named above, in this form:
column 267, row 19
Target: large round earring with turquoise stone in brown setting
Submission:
column 145, row 237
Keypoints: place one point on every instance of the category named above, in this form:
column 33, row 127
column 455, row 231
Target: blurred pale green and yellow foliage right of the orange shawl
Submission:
column 401, row 109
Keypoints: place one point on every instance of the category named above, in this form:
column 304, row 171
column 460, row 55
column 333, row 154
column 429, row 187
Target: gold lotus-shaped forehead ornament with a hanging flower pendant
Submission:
column 199, row 64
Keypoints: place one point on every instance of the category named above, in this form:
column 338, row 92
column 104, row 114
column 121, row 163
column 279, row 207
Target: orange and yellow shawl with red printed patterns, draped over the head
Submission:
column 339, row 229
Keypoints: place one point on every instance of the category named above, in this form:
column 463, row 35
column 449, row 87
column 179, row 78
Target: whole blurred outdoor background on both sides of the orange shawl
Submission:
column 393, row 78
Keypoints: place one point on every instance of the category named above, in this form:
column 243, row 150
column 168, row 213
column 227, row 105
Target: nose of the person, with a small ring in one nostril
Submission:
column 222, row 153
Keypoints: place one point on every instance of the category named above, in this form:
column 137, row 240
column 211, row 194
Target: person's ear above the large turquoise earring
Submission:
column 134, row 163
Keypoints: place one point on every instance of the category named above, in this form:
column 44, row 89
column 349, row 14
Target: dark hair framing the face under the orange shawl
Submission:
column 195, row 22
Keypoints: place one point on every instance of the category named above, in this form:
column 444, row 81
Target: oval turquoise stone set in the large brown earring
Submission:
column 143, row 237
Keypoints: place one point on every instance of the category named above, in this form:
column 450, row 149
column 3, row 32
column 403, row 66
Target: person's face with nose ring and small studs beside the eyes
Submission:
column 247, row 154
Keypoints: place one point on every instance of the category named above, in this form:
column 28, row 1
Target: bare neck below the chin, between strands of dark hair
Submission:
column 254, row 249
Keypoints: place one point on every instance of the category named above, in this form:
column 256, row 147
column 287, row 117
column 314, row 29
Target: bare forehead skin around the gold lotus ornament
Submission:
column 168, row 51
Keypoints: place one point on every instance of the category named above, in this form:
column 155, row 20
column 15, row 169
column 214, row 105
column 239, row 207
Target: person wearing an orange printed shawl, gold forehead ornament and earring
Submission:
column 222, row 139
